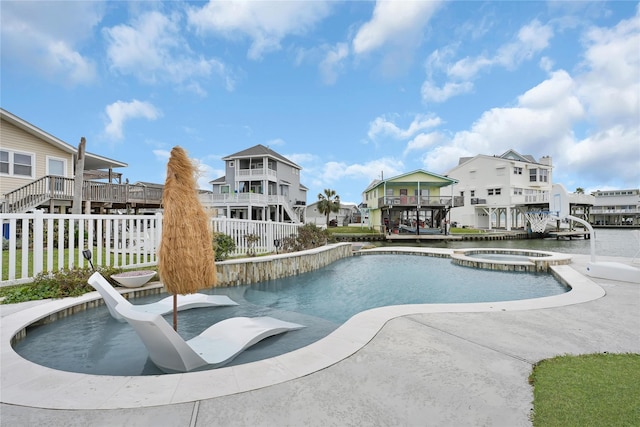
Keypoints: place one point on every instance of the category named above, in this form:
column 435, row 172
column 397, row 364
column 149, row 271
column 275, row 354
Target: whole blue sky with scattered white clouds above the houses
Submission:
column 349, row 90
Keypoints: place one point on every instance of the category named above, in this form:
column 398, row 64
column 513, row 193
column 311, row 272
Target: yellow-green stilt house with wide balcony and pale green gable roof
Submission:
column 416, row 202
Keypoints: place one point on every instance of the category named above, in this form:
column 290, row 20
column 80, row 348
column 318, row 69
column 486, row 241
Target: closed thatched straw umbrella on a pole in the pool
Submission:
column 186, row 261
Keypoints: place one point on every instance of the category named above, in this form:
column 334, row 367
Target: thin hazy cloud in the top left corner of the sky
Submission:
column 45, row 37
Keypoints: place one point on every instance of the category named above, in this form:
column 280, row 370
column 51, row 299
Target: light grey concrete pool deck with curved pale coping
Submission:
column 444, row 364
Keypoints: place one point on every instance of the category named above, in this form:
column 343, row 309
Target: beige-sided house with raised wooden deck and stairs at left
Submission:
column 37, row 171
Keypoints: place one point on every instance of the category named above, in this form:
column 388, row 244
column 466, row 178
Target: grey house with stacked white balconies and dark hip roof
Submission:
column 259, row 184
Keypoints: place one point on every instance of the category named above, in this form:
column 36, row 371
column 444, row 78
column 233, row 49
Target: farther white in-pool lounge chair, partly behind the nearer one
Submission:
column 112, row 298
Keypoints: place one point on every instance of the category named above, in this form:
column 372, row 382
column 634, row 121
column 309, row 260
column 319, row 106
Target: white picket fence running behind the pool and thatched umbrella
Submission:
column 37, row 242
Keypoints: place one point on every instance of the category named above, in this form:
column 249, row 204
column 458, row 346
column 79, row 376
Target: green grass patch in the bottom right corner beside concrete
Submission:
column 587, row 390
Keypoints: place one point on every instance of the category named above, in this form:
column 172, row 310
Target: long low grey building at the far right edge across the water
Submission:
column 616, row 208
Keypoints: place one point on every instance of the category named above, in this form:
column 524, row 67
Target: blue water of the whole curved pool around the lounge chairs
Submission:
column 93, row 342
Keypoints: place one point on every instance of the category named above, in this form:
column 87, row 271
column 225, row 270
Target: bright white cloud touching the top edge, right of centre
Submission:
column 393, row 22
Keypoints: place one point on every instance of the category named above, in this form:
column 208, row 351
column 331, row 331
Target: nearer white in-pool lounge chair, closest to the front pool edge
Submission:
column 214, row 347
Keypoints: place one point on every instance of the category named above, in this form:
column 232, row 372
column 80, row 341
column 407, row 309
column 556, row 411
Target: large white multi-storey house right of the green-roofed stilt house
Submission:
column 498, row 190
